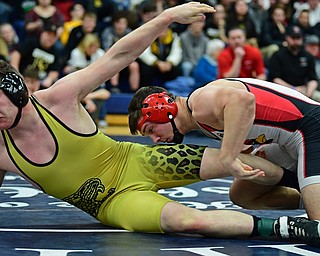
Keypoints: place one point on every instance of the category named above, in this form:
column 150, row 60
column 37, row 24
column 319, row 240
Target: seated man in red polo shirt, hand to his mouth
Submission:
column 240, row 59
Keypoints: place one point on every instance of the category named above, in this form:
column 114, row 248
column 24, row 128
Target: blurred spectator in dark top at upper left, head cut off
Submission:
column 41, row 14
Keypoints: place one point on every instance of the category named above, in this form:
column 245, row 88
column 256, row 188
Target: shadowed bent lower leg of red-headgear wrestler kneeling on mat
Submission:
column 250, row 195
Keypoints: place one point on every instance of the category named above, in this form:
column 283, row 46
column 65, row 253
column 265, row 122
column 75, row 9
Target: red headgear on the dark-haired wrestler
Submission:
column 158, row 108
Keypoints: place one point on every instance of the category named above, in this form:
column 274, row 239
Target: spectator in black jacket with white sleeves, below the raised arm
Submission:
column 161, row 61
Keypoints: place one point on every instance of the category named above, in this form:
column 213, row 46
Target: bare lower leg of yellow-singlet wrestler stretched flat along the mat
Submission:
column 177, row 218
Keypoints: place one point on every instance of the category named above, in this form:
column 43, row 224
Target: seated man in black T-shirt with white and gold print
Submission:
column 40, row 54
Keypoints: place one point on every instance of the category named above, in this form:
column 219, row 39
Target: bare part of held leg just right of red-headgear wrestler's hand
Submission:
column 273, row 173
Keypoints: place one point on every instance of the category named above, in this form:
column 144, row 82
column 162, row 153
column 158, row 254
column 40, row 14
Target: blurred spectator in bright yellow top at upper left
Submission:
column 76, row 16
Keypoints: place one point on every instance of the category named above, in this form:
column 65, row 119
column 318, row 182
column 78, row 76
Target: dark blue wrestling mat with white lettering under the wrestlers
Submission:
column 35, row 224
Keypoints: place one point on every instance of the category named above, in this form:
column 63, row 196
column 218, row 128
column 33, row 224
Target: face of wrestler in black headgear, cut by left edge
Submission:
column 8, row 111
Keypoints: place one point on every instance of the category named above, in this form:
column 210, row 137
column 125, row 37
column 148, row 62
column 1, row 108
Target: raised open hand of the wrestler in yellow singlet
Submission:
column 189, row 12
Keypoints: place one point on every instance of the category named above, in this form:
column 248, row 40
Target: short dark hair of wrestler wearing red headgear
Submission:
column 135, row 105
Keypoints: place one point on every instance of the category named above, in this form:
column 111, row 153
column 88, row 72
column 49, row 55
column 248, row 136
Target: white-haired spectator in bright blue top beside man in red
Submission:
column 206, row 70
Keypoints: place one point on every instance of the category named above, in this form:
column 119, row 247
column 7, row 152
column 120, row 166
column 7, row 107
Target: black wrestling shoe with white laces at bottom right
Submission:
column 298, row 229
